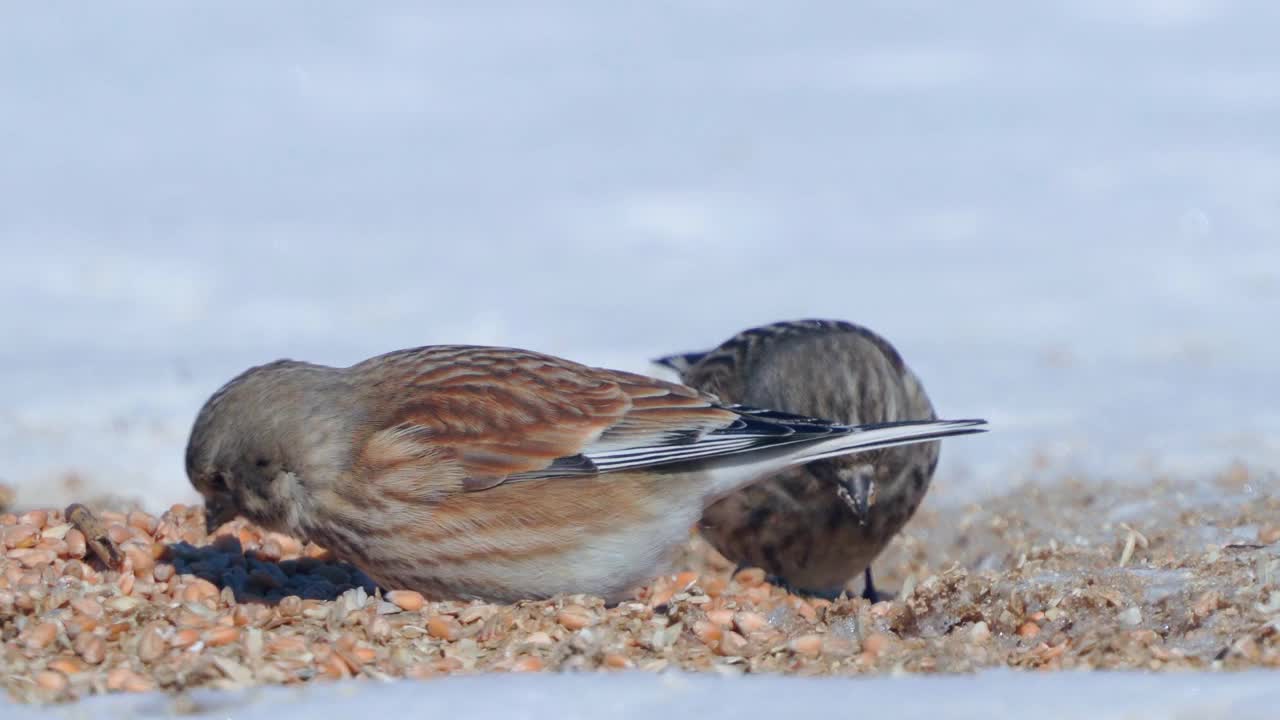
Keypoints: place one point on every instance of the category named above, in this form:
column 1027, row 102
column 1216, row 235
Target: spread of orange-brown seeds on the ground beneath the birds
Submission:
column 1067, row 575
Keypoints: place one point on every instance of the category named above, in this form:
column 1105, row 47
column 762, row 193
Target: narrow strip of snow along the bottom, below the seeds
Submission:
column 985, row 696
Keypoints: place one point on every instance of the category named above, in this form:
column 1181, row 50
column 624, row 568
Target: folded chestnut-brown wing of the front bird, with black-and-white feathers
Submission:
column 500, row 414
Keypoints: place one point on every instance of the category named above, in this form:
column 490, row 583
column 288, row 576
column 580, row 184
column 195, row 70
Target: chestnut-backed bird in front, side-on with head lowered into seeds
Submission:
column 493, row 473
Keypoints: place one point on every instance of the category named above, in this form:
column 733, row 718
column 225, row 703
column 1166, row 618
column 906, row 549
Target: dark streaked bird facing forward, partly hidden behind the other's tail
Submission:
column 797, row 526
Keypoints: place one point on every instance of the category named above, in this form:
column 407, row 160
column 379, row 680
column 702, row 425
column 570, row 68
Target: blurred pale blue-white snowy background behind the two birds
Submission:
column 1066, row 215
